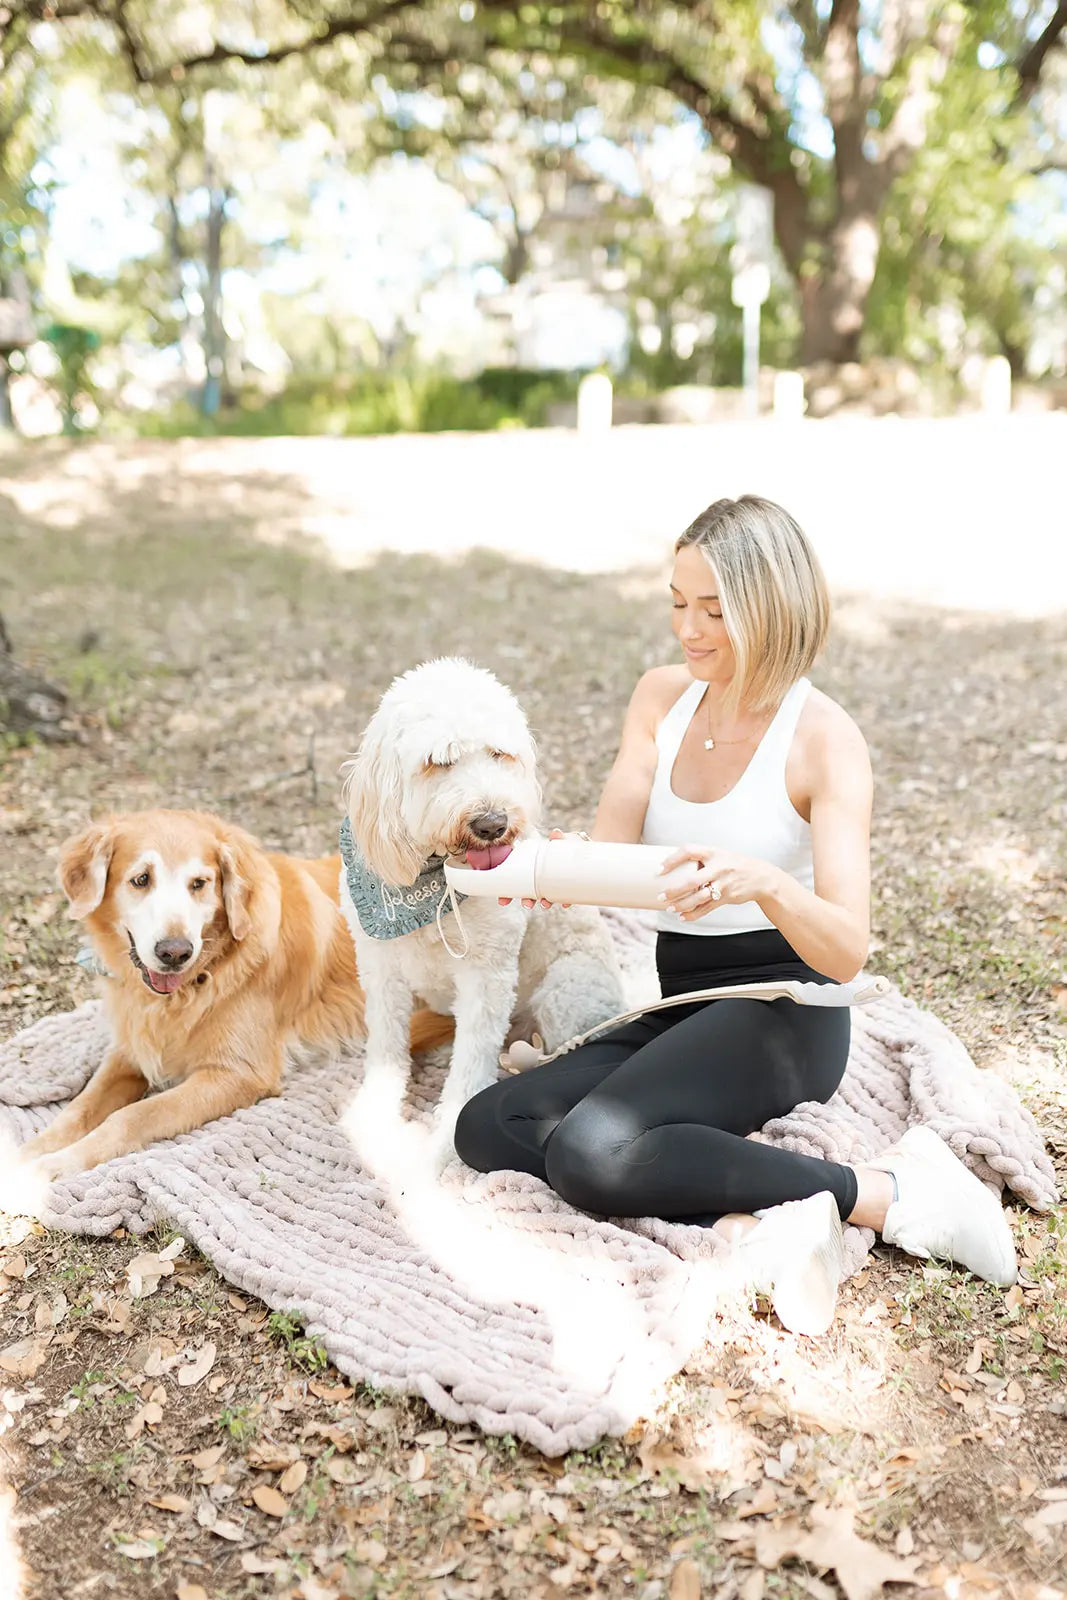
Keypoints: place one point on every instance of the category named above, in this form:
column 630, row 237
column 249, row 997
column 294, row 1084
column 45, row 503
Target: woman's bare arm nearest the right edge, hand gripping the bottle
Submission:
column 831, row 927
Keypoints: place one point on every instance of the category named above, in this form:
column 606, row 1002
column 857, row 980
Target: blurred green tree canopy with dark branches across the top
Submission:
column 908, row 145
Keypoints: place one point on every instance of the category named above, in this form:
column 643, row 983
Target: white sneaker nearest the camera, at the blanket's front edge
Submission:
column 797, row 1257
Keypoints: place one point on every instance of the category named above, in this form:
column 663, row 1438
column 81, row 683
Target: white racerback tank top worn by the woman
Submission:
column 757, row 818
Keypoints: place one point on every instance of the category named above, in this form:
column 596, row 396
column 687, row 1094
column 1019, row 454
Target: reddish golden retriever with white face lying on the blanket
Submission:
column 218, row 954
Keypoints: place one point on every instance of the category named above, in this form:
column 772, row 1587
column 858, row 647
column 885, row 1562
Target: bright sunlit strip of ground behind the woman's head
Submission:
column 951, row 511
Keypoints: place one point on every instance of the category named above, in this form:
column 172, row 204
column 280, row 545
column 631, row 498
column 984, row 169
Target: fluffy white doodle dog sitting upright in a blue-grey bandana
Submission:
column 449, row 767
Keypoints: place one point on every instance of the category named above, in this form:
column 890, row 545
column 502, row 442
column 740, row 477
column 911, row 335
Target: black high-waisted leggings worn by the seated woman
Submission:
column 652, row 1119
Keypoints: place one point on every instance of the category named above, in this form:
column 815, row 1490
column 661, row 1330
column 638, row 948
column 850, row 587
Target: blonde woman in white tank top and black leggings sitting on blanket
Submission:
column 765, row 785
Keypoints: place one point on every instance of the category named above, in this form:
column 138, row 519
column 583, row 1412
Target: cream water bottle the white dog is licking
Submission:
column 575, row 873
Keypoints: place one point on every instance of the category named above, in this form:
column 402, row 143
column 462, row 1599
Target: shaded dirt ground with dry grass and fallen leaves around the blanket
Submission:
column 222, row 662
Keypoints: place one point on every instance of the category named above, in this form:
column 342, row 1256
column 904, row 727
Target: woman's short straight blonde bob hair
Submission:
column 773, row 593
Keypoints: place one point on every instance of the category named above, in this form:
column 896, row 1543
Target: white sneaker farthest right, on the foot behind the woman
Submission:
column 945, row 1212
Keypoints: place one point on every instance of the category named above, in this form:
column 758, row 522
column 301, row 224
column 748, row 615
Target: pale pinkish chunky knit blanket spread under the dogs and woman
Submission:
column 489, row 1297
